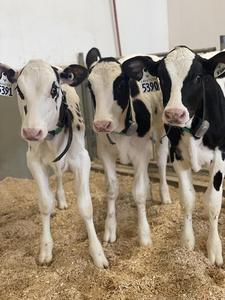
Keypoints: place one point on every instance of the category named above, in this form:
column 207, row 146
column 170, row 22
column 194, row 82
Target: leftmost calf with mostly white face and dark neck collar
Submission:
column 53, row 127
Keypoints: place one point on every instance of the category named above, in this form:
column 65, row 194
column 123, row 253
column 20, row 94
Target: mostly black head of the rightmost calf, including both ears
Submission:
column 182, row 75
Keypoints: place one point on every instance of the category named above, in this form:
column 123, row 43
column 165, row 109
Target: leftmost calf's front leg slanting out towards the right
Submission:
column 80, row 166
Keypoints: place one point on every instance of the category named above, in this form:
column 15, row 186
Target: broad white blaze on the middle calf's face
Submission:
column 102, row 78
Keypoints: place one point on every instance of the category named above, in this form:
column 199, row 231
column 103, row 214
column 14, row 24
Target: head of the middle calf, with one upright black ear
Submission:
column 110, row 89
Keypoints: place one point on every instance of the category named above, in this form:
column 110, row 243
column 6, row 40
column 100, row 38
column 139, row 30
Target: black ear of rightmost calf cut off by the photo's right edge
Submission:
column 215, row 65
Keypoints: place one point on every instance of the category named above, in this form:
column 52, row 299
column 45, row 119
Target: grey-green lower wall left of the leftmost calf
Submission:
column 12, row 147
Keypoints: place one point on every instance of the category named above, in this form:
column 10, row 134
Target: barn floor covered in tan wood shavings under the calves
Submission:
column 166, row 271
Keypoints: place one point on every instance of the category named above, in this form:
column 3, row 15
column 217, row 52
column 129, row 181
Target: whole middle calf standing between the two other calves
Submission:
column 124, row 120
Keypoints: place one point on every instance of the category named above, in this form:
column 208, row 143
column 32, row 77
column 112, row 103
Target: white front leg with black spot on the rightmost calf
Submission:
column 213, row 199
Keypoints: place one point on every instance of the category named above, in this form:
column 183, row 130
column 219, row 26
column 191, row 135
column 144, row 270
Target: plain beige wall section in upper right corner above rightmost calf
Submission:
column 196, row 23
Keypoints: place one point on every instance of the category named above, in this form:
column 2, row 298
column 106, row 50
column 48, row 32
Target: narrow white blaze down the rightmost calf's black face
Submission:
column 178, row 64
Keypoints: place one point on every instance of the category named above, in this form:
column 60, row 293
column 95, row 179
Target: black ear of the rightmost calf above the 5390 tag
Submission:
column 134, row 67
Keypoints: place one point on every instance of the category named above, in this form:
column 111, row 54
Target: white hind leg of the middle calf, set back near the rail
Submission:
column 162, row 154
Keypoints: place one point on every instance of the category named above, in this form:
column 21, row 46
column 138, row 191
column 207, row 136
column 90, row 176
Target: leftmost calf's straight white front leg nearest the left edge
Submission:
column 46, row 206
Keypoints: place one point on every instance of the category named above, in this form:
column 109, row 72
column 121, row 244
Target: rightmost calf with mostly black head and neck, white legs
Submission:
column 194, row 114
